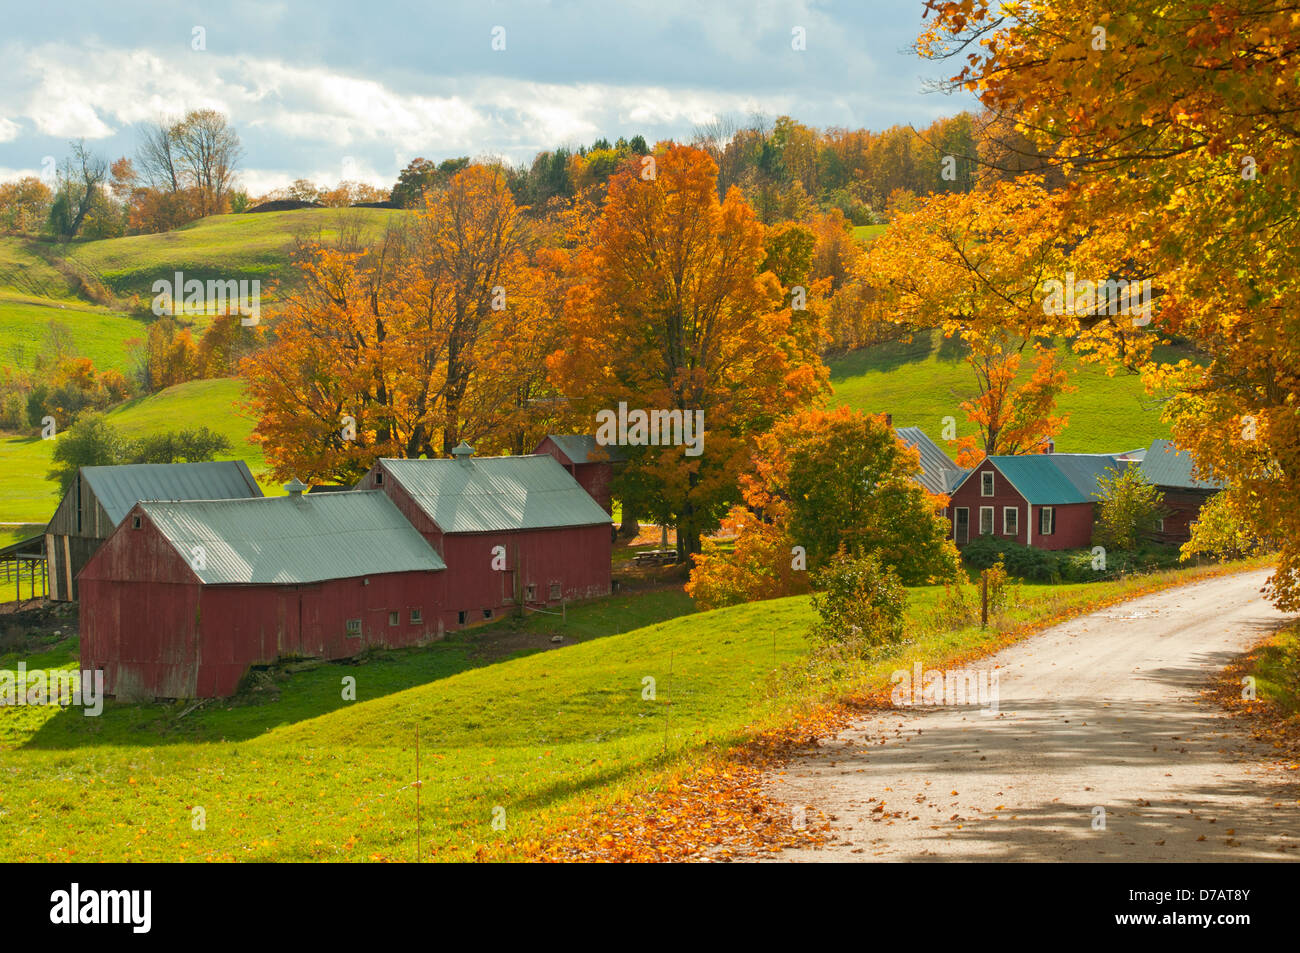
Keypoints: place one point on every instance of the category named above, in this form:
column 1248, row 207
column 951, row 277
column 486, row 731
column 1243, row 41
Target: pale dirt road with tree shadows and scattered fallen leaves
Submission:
column 1099, row 714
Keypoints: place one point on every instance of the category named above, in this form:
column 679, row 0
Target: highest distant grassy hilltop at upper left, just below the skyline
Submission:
column 219, row 248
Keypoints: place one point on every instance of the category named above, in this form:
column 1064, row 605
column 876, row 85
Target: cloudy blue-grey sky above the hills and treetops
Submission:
column 336, row 89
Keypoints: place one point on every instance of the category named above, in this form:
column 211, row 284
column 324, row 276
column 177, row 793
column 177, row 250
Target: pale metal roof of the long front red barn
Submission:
column 291, row 540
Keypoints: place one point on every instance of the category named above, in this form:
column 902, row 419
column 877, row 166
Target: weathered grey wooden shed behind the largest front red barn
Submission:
column 101, row 497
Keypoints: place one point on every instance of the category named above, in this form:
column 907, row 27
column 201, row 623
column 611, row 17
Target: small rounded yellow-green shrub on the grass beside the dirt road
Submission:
column 859, row 601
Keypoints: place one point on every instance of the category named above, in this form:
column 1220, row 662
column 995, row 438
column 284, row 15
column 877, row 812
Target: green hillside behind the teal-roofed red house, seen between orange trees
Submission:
column 925, row 380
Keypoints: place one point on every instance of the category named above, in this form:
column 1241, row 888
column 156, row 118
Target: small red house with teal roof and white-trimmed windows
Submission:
column 1047, row 501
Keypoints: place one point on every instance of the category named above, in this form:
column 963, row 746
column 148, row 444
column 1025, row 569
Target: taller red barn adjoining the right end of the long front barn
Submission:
column 512, row 530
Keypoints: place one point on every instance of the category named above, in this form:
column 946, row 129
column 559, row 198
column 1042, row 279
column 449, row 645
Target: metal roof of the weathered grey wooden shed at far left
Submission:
column 122, row 488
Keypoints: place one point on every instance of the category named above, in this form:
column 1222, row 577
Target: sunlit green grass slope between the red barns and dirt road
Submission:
column 539, row 743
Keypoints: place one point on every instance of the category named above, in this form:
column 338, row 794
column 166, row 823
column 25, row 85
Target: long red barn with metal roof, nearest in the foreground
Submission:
column 184, row 597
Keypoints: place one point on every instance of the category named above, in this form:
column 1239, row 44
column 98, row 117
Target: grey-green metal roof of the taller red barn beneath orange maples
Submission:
column 497, row 493
